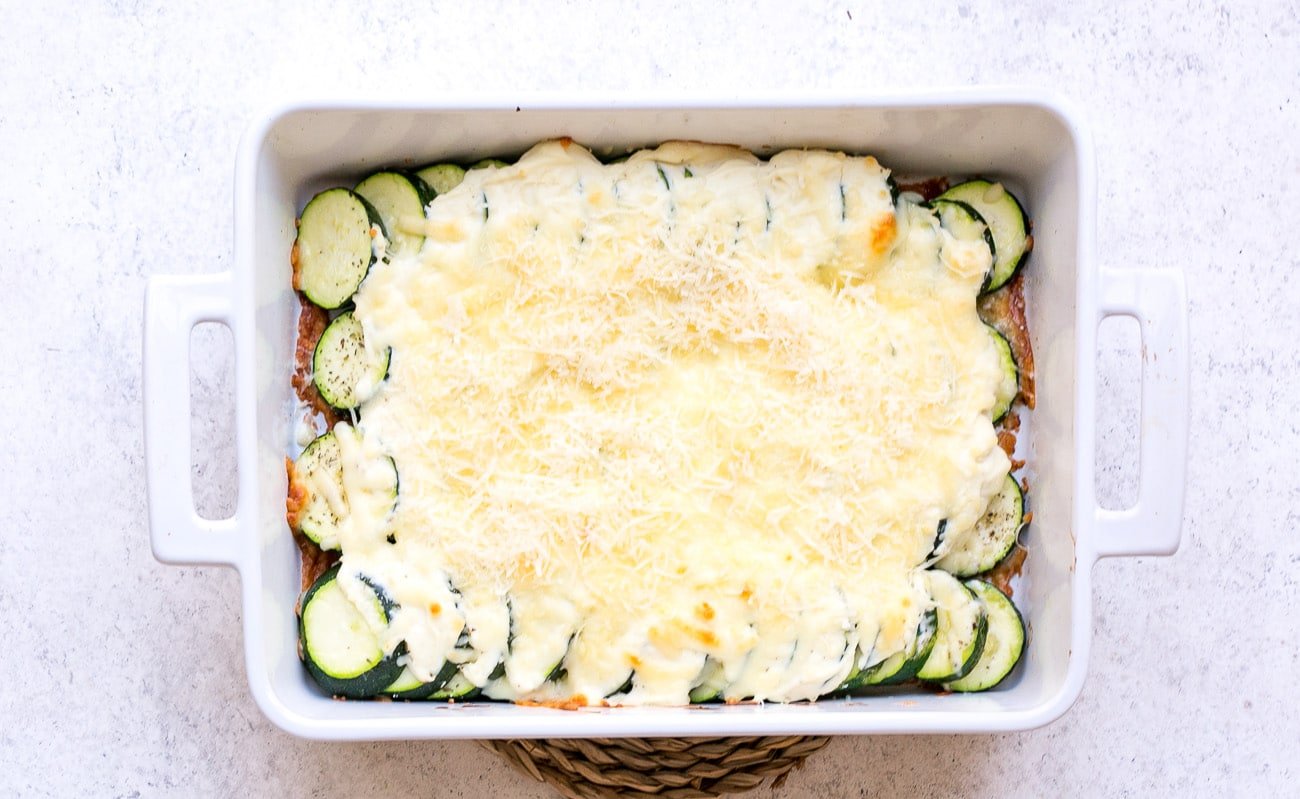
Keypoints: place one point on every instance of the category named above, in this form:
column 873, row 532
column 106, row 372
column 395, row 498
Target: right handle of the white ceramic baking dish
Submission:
column 1158, row 299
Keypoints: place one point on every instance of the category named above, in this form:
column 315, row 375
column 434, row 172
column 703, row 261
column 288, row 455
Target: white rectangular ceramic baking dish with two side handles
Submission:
column 1034, row 142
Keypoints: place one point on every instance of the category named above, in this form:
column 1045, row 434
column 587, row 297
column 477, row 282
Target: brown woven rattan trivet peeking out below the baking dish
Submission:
column 673, row 768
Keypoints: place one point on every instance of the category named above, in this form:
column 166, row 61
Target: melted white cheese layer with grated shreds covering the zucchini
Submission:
column 688, row 406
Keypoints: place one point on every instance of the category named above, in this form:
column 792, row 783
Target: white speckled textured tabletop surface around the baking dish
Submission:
column 118, row 129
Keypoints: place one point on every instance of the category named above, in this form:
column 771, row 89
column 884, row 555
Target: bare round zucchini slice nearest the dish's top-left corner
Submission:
column 335, row 246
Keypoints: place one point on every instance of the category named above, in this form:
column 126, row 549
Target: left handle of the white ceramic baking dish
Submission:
column 174, row 306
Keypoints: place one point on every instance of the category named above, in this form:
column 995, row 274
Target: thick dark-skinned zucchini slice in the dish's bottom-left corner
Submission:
column 340, row 645
